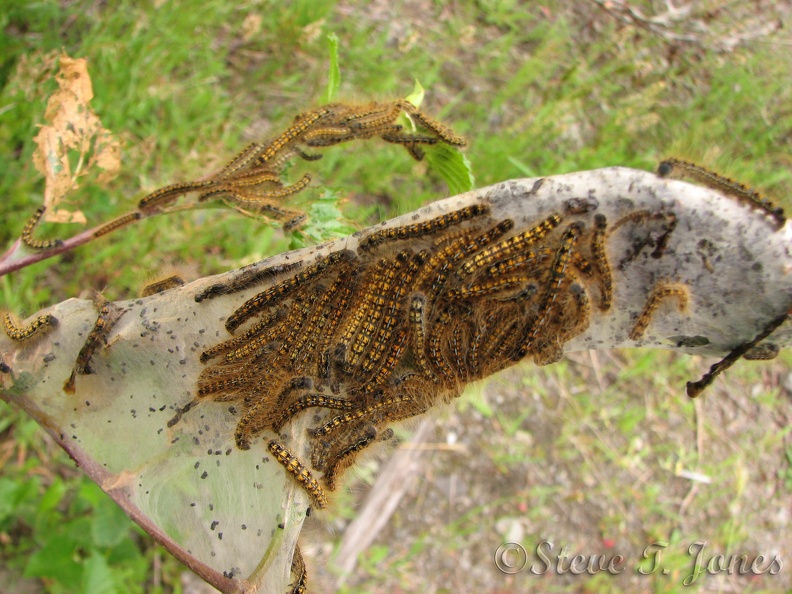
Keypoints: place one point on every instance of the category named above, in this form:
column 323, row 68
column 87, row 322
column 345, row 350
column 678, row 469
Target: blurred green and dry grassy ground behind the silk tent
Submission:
column 536, row 90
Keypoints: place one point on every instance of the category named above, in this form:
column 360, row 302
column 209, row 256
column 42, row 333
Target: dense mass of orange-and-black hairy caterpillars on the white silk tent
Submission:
column 381, row 334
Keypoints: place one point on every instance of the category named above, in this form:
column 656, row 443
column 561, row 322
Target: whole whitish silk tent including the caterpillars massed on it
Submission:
column 702, row 272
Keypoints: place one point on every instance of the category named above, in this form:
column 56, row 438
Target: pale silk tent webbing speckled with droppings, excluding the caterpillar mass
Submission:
column 236, row 512
